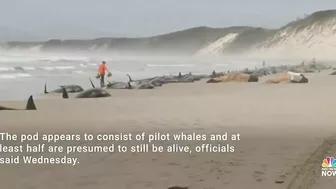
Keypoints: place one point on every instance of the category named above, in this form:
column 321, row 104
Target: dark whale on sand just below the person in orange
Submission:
column 89, row 93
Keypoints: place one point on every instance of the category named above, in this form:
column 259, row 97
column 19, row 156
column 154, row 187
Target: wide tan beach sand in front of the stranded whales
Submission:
column 286, row 130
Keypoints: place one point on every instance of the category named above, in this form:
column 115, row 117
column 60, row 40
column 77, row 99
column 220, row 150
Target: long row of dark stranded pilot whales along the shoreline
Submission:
column 149, row 83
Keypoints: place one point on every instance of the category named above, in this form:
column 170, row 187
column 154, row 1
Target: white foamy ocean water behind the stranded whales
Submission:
column 22, row 75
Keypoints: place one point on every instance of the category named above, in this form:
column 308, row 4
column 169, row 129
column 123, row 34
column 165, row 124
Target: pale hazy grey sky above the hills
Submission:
column 148, row 17
